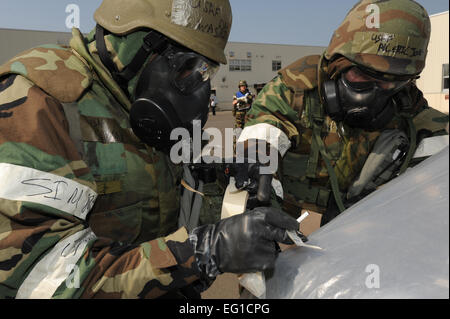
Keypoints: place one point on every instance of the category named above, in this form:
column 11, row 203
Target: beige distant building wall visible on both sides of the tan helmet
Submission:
column 225, row 82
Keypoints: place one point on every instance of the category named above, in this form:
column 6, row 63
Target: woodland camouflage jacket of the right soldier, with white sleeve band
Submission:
column 291, row 102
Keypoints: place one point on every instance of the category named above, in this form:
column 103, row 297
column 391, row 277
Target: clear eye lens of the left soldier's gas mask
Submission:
column 192, row 70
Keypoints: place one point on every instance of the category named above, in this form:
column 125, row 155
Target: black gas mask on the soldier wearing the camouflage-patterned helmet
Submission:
column 360, row 100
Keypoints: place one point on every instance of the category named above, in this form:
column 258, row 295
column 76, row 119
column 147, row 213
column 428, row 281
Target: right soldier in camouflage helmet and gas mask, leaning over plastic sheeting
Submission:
column 329, row 115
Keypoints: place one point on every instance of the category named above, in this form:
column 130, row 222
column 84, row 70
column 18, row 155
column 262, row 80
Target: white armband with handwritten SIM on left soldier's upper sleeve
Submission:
column 26, row 184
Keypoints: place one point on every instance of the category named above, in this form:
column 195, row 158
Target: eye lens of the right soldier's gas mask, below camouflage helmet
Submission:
column 358, row 80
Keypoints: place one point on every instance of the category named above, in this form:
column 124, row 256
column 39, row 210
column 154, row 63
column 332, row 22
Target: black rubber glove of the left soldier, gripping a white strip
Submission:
column 244, row 243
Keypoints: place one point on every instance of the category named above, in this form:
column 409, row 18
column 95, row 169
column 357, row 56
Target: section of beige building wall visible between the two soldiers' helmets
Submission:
column 261, row 56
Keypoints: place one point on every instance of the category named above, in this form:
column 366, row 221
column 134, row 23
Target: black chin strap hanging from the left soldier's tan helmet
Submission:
column 153, row 42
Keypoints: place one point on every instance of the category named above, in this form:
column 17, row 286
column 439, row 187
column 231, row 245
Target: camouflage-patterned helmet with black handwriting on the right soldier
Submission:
column 385, row 36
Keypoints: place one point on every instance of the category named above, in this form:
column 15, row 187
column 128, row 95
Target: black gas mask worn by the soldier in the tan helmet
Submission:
column 173, row 91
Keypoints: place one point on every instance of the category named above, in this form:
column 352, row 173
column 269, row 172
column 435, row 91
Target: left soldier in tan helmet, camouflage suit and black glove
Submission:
column 87, row 210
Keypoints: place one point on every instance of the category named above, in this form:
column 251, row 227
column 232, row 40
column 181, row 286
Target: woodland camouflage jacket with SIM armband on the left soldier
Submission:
column 86, row 210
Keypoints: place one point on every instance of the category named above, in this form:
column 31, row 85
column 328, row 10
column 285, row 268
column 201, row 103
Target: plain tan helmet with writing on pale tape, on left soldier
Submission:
column 202, row 26
